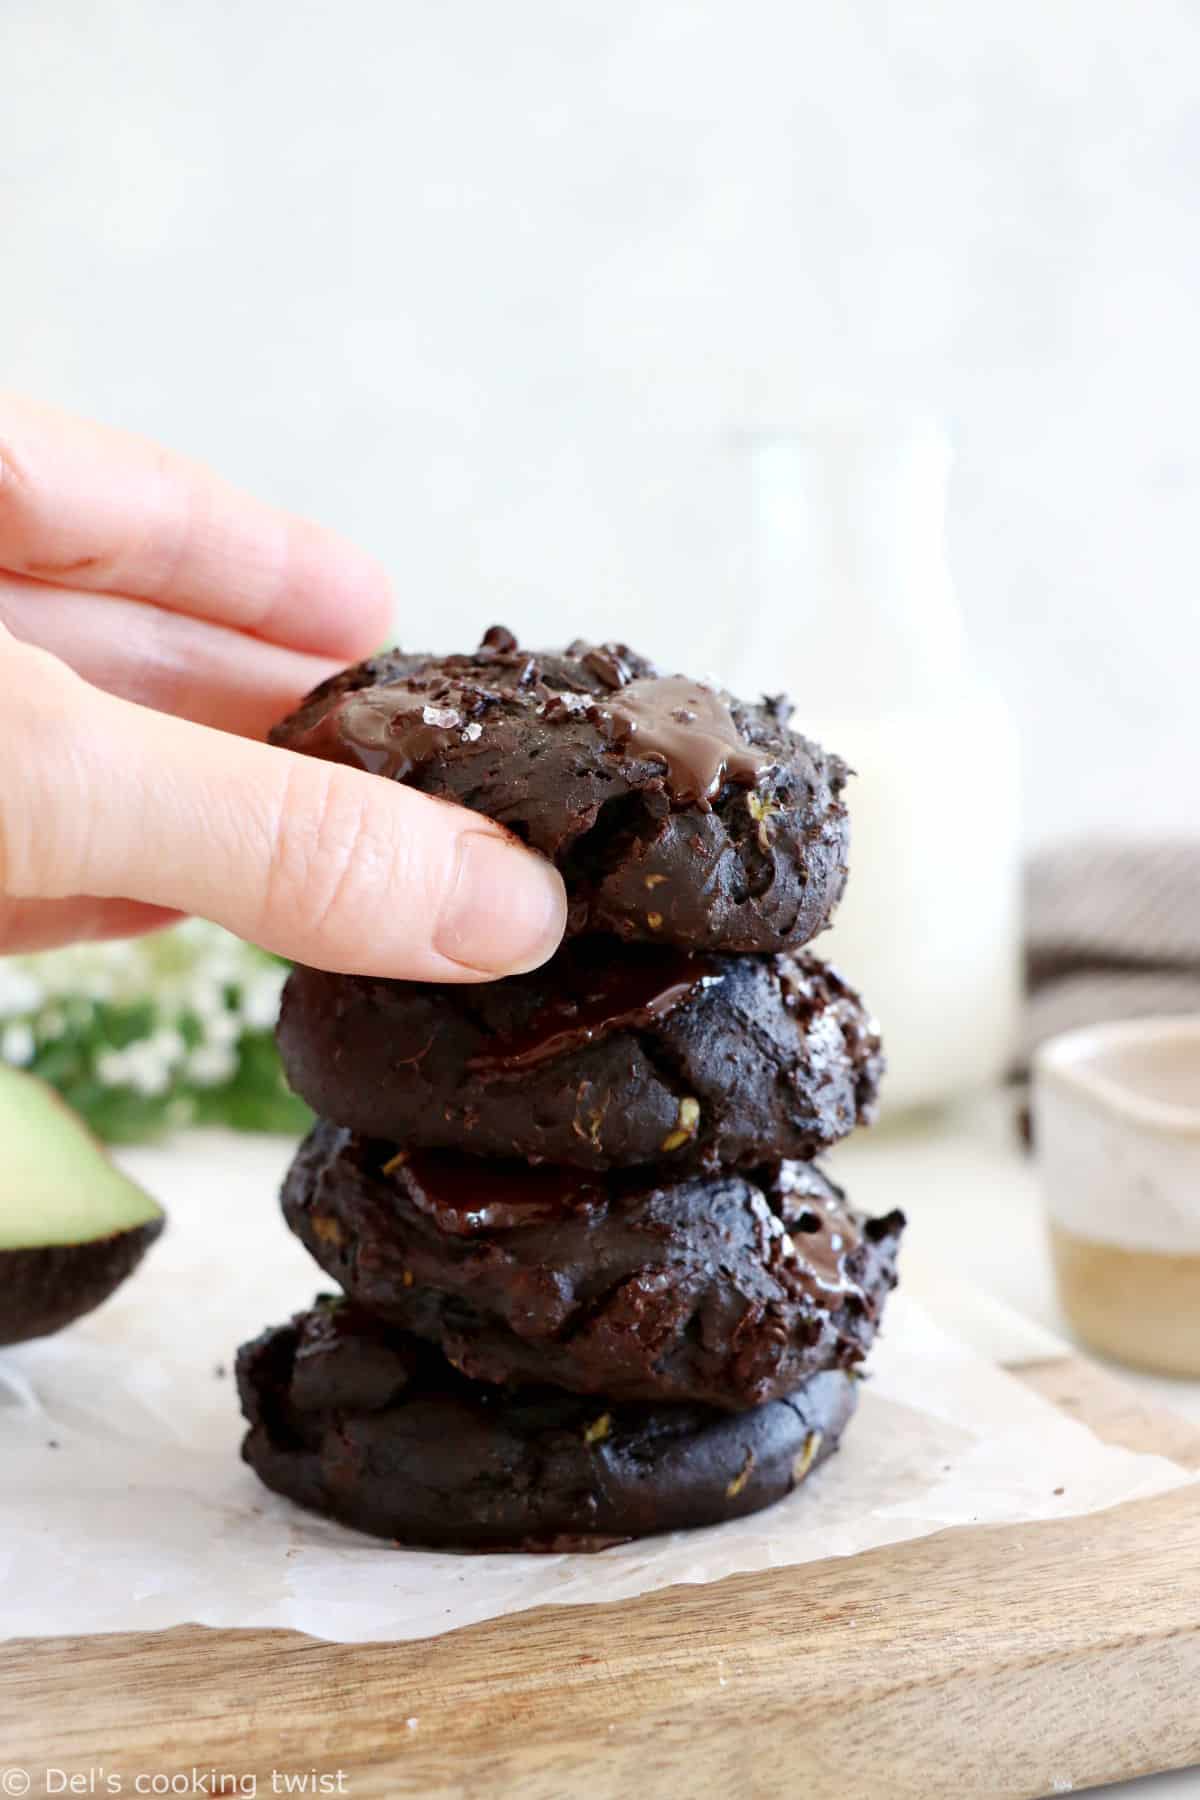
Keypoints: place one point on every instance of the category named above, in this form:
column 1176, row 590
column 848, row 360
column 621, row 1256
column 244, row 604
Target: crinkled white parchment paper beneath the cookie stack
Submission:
column 125, row 1506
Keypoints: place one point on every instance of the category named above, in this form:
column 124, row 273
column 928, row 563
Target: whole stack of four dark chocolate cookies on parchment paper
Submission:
column 593, row 1281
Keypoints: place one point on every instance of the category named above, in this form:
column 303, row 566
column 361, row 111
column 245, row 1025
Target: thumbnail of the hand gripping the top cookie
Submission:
column 506, row 912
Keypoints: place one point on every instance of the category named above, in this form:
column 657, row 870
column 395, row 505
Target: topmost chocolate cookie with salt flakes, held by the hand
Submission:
column 676, row 813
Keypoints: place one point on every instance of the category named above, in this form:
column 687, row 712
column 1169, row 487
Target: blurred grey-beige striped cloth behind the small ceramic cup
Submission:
column 1113, row 931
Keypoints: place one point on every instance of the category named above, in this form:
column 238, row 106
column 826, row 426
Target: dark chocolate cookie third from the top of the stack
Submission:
column 722, row 1290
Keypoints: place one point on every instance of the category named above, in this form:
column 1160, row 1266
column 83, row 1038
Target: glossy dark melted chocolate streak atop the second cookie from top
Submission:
column 620, row 994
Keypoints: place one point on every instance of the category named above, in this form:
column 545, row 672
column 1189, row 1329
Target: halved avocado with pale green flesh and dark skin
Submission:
column 71, row 1225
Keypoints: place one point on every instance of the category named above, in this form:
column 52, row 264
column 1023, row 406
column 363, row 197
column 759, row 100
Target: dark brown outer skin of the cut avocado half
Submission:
column 49, row 1288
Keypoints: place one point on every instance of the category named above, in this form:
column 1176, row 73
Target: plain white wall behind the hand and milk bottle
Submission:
column 496, row 287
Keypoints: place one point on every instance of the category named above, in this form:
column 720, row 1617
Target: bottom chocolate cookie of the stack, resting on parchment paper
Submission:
column 377, row 1430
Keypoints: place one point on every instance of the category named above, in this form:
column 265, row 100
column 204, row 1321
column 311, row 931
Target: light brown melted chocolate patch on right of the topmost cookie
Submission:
column 688, row 728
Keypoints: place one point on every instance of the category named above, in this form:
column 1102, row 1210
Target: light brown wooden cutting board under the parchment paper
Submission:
column 981, row 1662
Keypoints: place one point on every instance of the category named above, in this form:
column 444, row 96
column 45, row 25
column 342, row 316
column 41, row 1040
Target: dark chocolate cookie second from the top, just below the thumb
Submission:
column 607, row 1057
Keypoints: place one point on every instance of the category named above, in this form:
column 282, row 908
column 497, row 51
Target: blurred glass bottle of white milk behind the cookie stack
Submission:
column 861, row 622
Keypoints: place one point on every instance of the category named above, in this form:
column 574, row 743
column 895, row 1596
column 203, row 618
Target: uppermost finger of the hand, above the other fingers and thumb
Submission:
column 103, row 510
